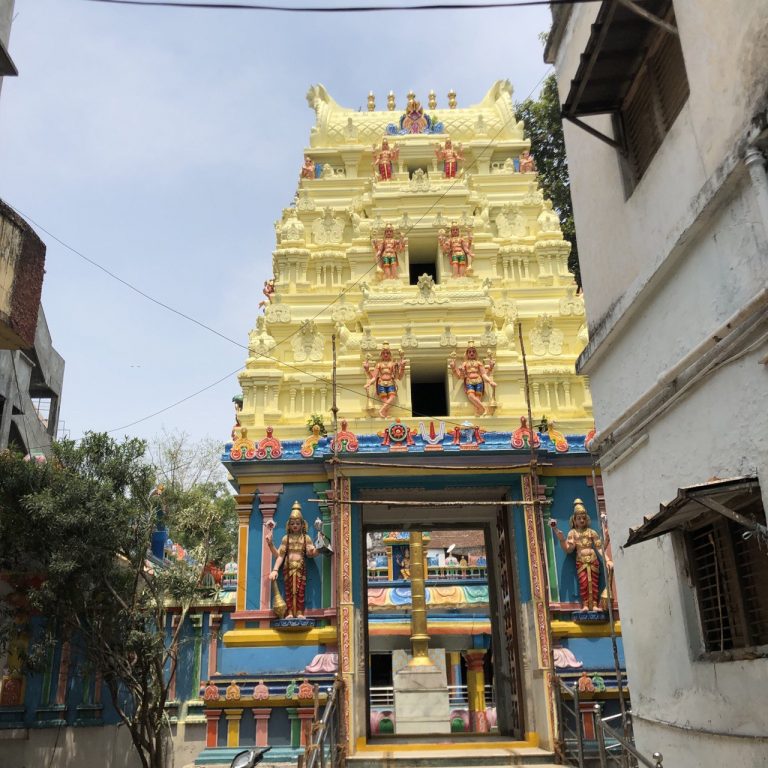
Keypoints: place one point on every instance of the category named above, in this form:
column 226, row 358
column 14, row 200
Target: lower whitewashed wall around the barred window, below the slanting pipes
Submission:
column 710, row 433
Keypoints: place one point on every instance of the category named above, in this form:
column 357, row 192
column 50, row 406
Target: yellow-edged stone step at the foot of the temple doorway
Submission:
column 464, row 757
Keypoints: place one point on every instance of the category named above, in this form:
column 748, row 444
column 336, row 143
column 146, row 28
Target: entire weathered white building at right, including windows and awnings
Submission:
column 665, row 131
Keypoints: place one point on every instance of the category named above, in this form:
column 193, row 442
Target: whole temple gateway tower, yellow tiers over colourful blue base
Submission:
column 420, row 526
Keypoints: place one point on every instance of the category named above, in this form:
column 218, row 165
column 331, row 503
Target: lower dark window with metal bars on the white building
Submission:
column 729, row 567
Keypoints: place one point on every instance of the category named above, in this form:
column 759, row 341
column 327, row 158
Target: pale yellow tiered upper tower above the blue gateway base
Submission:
column 329, row 280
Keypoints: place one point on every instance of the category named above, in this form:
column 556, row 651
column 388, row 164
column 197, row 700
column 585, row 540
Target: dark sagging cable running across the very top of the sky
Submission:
column 483, row 6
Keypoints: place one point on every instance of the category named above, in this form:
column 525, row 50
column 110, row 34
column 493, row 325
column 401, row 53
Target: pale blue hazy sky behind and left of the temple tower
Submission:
column 163, row 144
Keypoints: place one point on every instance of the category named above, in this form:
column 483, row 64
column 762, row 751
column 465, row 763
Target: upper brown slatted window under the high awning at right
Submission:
column 655, row 98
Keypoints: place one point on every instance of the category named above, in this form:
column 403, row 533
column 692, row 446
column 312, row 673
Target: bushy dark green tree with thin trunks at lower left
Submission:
column 75, row 534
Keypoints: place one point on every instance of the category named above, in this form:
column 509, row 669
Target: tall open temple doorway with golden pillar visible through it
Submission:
column 471, row 617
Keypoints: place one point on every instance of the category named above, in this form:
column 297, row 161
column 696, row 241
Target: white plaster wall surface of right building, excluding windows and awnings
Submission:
column 664, row 270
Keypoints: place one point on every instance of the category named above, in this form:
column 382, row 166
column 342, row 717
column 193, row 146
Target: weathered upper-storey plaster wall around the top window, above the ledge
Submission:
column 725, row 51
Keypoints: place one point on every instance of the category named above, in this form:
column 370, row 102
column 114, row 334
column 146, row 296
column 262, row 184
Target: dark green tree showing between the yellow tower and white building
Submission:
column 544, row 127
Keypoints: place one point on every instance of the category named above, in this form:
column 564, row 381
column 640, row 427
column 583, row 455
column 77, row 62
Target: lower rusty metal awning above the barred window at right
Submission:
column 694, row 504
